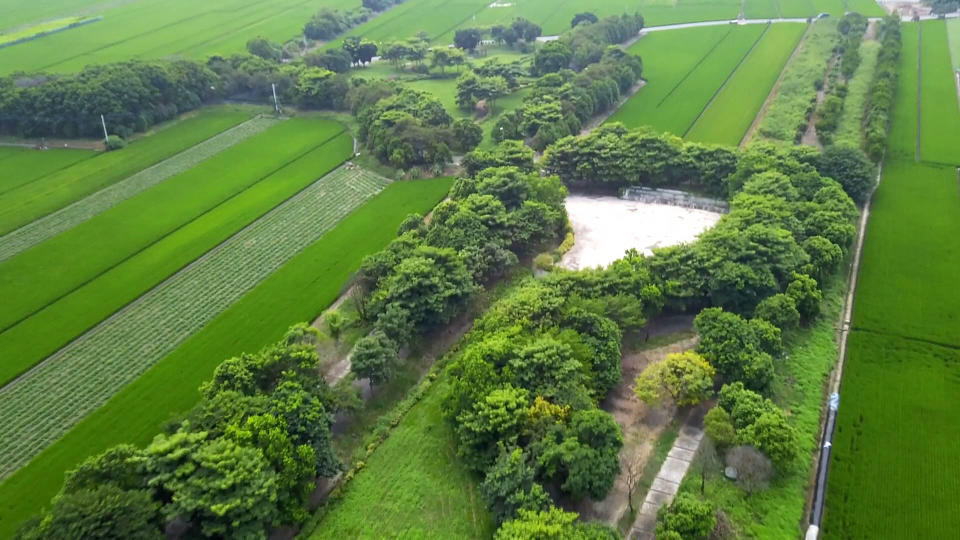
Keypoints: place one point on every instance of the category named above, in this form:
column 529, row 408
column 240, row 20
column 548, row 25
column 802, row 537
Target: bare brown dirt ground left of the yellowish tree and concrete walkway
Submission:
column 641, row 426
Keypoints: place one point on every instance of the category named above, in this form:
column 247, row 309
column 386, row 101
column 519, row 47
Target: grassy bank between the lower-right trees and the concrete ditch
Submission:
column 777, row 512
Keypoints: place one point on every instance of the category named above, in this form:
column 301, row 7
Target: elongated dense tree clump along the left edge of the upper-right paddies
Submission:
column 560, row 103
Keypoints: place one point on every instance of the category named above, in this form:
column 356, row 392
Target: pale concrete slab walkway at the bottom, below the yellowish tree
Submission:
column 667, row 482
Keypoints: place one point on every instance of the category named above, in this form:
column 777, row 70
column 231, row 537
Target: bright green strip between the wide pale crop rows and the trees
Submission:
column 298, row 291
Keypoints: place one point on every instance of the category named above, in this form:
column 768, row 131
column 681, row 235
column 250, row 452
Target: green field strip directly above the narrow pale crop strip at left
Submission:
column 54, row 191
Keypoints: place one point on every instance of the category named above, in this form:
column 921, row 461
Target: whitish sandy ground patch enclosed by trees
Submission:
column 605, row 227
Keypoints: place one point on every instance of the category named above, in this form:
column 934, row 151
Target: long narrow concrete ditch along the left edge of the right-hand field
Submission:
column 816, row 496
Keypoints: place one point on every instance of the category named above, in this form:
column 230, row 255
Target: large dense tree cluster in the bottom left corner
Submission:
column 240, row 463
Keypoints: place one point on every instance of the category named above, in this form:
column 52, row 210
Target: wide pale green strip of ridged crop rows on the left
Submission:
column 49, row 399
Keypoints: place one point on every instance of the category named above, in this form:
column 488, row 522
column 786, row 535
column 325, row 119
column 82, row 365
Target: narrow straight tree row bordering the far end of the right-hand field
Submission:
column 880, row 102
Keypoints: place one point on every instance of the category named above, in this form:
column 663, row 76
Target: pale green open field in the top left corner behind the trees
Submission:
column 162, row 28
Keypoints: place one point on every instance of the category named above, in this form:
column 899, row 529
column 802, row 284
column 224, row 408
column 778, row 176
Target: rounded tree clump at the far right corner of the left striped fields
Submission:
column 408, row 128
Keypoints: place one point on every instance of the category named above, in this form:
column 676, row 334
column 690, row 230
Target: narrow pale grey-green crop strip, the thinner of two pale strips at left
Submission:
column 42, row 229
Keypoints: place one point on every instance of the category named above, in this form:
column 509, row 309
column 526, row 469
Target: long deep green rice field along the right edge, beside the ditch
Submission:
column 896, row 429
